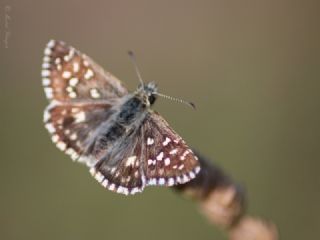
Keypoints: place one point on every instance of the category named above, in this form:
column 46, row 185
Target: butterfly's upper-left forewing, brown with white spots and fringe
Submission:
column 68, row 74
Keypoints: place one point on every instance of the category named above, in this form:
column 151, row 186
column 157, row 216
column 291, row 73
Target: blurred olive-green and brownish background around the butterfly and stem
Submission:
column 251, row 67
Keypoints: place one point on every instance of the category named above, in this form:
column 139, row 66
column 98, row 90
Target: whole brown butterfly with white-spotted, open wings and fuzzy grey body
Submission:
column 93, row 118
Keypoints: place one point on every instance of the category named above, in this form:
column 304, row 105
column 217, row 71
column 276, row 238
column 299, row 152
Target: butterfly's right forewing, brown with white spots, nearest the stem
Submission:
column 168, row 160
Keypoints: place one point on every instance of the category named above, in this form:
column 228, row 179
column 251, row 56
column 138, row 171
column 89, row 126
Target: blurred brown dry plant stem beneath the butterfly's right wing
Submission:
column 222, row 201
